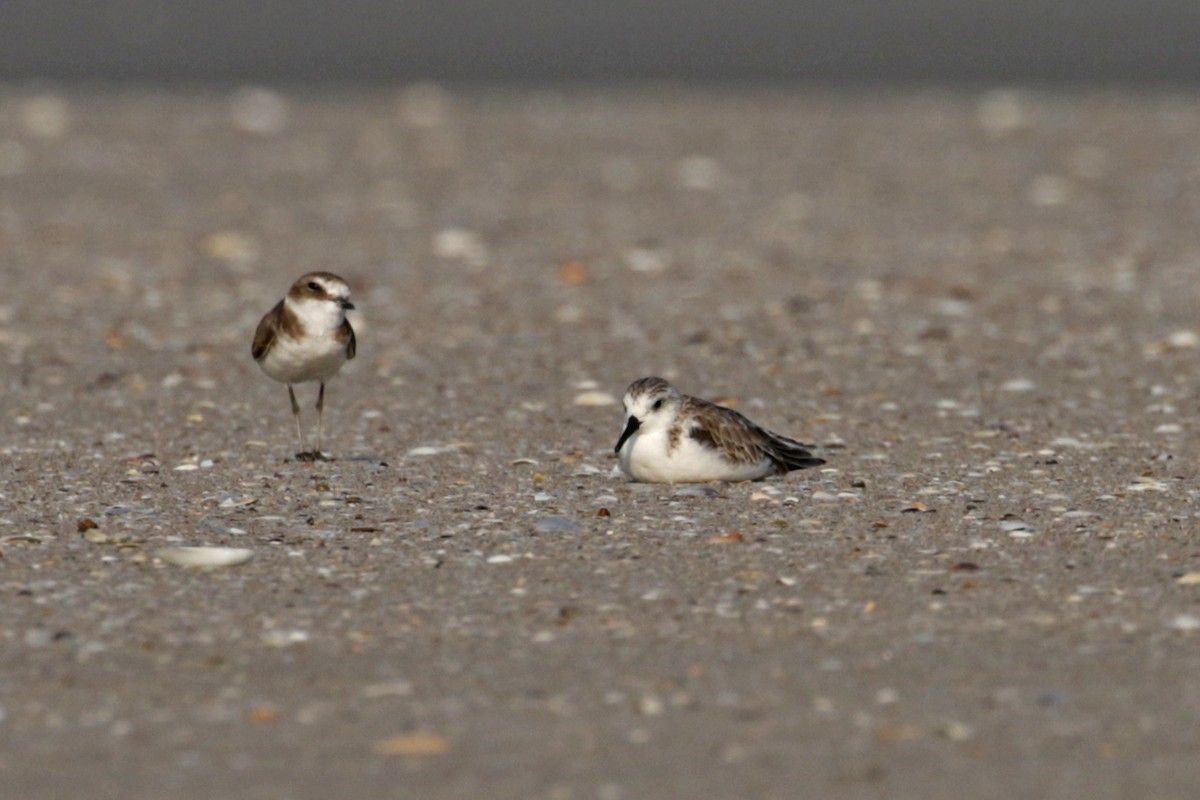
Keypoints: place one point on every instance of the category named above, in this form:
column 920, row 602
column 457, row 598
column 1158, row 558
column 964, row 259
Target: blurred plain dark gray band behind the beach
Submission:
column 616, row 40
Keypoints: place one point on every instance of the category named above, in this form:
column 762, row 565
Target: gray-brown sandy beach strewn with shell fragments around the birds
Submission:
column 981, row 306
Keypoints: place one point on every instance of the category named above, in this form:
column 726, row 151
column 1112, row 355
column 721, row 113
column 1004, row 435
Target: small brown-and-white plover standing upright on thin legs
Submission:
column 307, row 338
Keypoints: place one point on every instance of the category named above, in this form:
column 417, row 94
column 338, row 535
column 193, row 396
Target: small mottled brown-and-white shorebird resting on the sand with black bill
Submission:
column 673, row 438
